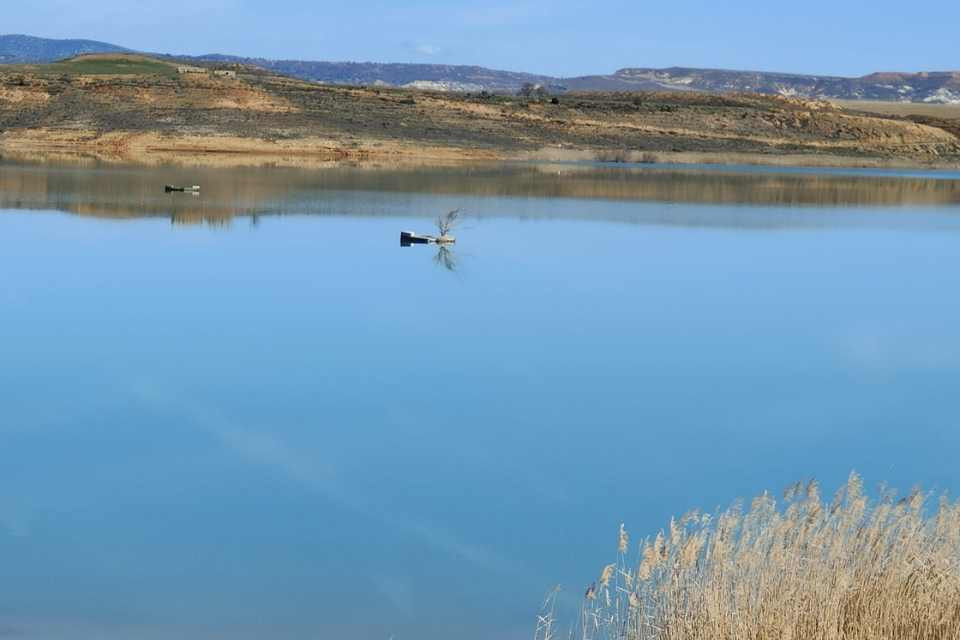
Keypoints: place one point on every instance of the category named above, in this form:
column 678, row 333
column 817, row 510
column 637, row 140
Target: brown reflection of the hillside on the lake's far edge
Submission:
column 137, row 192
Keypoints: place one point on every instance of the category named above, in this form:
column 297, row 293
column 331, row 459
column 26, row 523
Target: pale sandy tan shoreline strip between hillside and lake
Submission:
column 150, row 149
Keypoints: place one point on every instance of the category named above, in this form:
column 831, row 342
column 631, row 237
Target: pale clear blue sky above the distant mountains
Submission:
column 558, row 37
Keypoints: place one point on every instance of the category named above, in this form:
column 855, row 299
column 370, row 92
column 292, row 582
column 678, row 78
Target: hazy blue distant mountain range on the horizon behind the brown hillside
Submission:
column 931, row 87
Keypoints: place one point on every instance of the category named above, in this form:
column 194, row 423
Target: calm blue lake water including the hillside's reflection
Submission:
column 252, row 414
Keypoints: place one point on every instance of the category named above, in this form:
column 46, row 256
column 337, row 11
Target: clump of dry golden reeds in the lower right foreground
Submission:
column 850, row 569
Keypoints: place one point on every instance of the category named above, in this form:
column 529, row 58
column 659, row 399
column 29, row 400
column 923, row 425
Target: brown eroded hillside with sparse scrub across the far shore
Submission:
column 140, row 109
